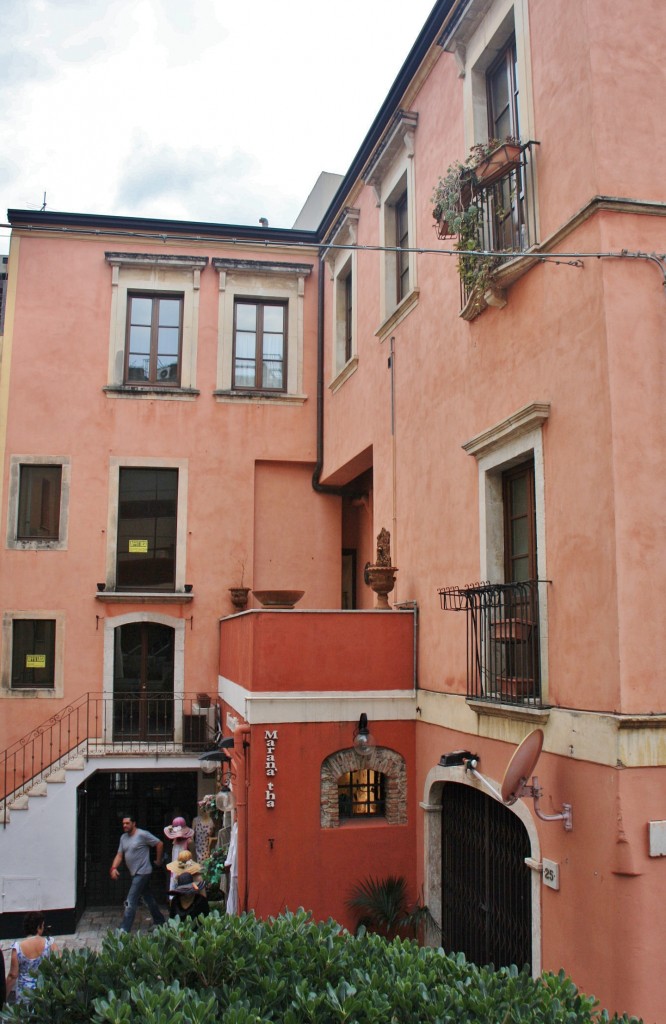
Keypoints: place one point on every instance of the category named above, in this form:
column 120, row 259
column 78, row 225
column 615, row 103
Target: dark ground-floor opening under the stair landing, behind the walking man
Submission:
column 154, row 799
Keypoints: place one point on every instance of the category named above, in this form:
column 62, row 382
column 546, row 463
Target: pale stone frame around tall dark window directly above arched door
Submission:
column 136, row 462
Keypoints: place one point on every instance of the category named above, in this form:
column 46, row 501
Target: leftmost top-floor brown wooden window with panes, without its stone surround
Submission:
column 154, row 339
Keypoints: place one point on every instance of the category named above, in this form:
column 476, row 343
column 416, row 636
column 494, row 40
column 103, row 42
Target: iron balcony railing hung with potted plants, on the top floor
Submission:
column 507, row 221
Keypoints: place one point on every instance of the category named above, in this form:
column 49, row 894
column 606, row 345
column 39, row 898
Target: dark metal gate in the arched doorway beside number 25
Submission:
column 486, row 885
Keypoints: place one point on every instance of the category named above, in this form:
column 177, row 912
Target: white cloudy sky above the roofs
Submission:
column 209, row 110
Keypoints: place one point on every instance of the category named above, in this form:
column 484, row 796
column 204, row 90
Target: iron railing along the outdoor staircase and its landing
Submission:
column 95, row 726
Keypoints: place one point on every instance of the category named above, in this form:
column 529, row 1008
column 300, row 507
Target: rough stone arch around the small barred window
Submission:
column 381, row 759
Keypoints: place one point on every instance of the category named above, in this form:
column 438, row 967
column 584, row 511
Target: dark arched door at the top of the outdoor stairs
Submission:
column 144, row 659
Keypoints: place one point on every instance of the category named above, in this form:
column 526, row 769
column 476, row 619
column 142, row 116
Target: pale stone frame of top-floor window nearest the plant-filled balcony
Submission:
column 391, row 174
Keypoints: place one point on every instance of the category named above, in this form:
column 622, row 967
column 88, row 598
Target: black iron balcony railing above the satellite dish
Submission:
column 504, row 650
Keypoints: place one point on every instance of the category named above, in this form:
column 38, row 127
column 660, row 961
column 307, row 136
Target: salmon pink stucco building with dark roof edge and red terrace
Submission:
column 362, row 506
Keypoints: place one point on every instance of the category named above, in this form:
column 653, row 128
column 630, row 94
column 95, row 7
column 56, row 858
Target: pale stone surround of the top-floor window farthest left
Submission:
column 150, row 274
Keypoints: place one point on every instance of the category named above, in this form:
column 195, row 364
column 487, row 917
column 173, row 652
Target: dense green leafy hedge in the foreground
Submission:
column 293, row 971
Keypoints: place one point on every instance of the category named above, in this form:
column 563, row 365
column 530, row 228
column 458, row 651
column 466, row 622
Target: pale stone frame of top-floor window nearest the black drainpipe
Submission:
column 262, row 281
